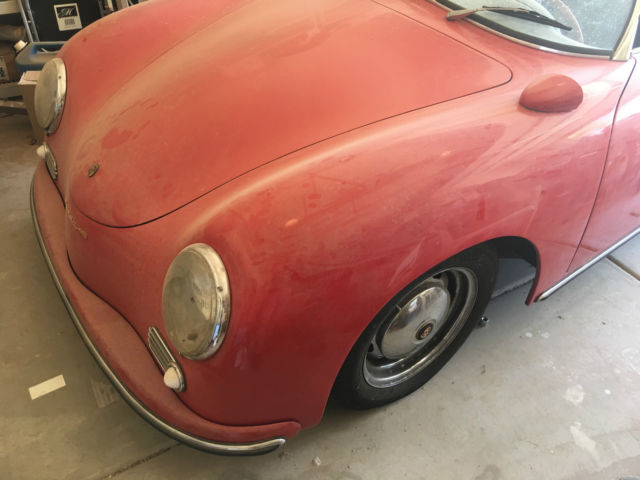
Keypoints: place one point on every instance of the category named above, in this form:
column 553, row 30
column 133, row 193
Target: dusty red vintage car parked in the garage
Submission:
column 249, row 205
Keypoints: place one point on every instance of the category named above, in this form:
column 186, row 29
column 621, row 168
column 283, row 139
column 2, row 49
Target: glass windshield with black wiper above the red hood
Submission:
column 596, row 25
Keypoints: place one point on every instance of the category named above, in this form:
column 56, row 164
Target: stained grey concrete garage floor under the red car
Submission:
column 550, row 391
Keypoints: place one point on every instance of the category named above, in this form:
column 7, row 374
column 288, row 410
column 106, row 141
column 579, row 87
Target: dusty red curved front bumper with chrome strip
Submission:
column 123, row 356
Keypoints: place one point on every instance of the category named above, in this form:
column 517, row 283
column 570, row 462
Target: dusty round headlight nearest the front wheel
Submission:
column 196, row 302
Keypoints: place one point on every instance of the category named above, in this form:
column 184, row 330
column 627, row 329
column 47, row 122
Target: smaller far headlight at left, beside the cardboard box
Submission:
column 50, row 94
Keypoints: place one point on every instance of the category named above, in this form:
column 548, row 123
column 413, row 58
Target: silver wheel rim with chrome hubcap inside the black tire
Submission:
column 418, row 331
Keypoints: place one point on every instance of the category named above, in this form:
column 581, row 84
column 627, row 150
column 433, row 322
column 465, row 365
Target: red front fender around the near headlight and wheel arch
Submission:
column 317, row 242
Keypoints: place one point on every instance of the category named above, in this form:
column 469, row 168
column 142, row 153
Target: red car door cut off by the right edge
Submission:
column 616, row 212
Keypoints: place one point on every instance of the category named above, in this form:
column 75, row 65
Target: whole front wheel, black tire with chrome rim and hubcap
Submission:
column 367, row 377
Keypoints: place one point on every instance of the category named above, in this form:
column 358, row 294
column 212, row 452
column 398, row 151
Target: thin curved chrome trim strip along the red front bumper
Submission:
column 255, row 448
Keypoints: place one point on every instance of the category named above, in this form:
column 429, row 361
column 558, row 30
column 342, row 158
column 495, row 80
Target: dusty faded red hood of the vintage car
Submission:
column 234, row 85
